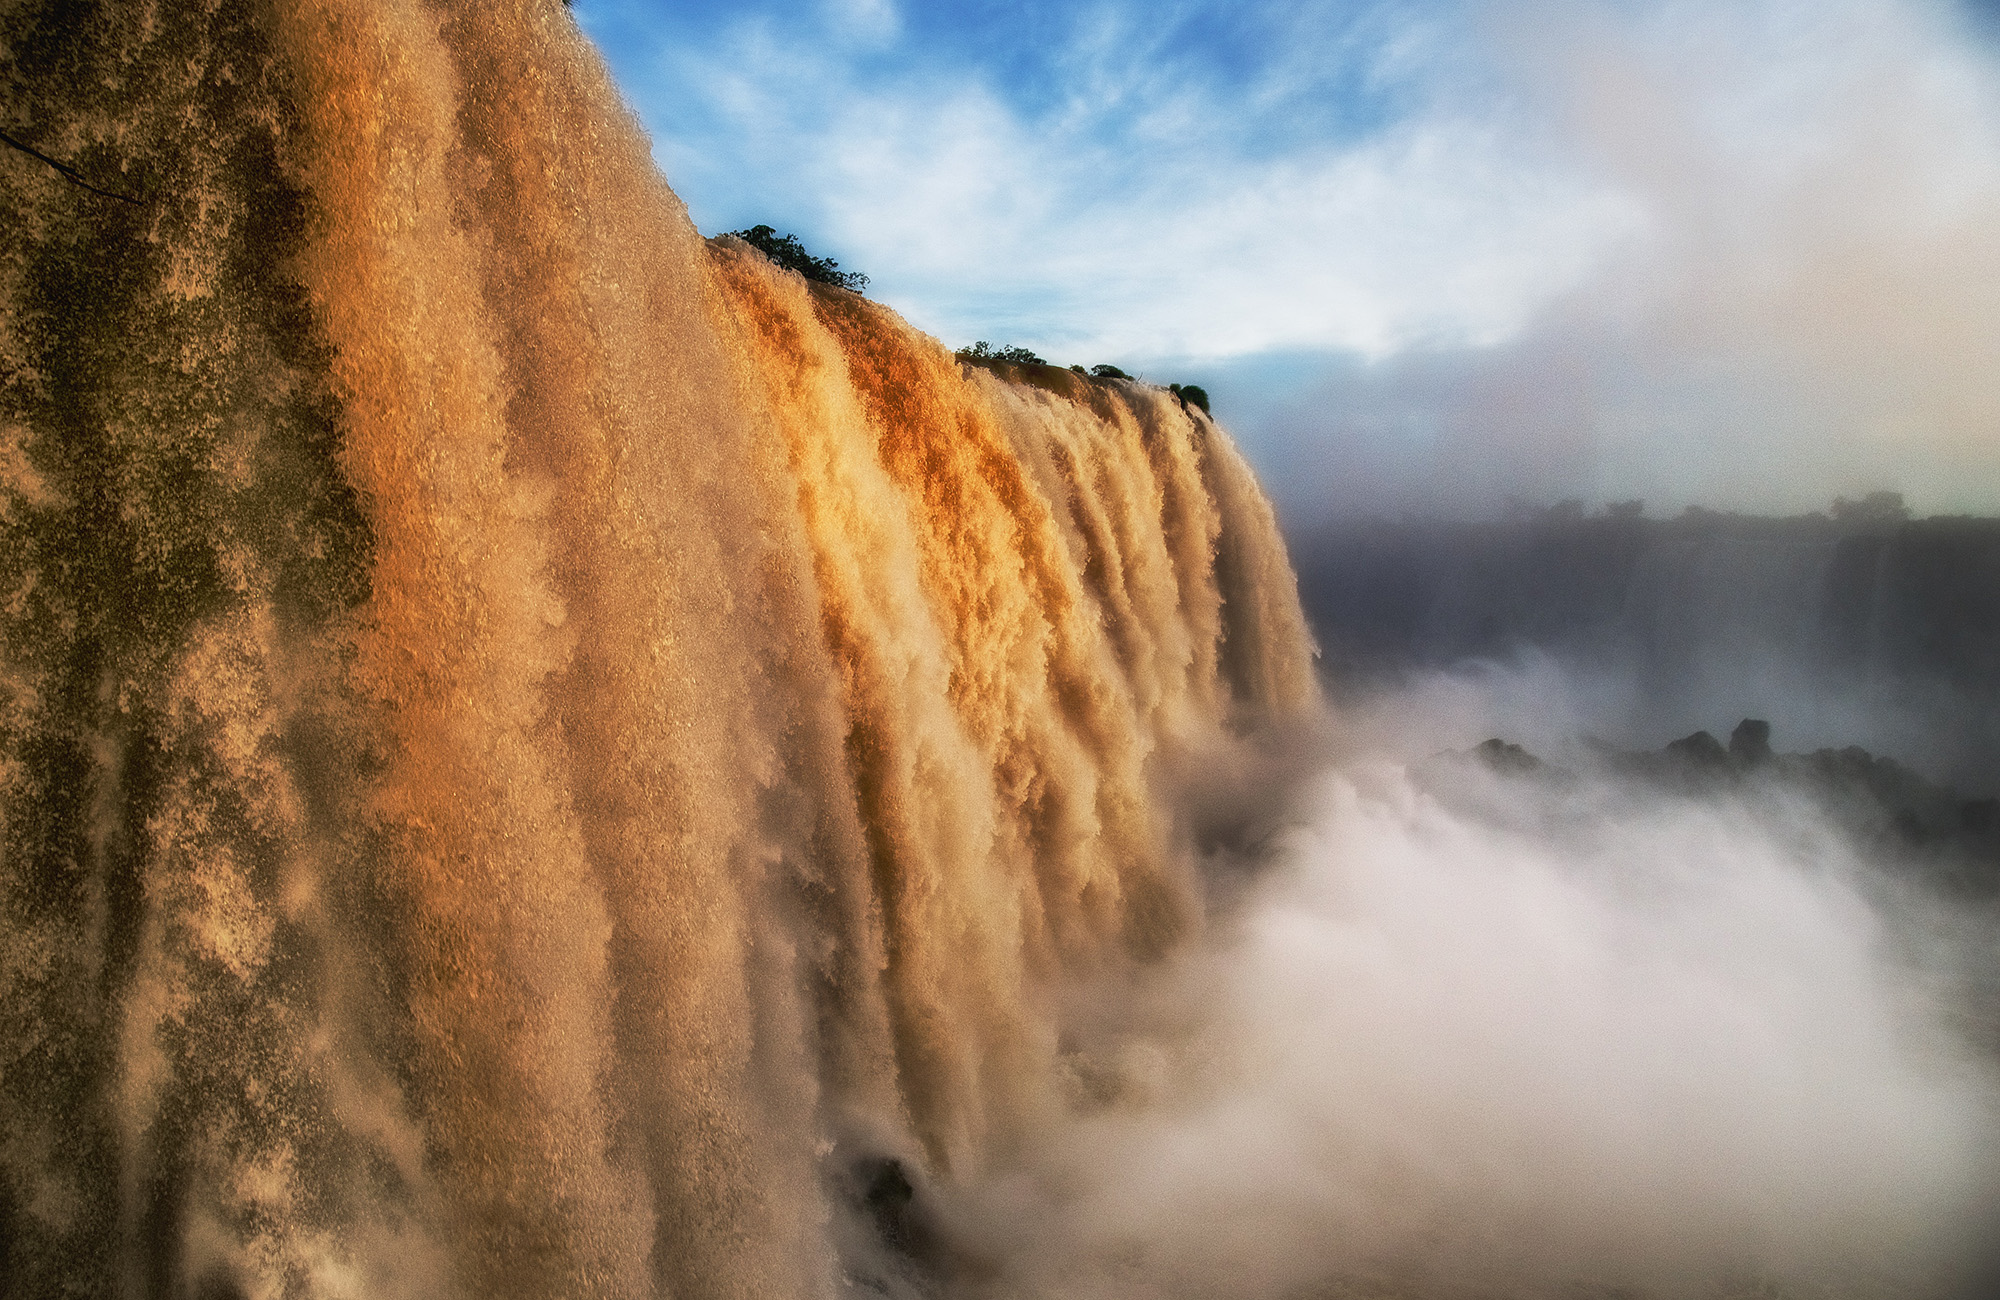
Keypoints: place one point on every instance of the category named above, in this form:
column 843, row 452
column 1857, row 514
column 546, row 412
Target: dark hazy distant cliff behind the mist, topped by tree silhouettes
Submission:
column 1839, row 631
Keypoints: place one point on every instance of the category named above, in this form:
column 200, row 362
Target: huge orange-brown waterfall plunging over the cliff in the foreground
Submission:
column 533, row 743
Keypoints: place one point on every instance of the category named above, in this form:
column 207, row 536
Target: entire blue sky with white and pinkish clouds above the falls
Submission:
column 1427, row 257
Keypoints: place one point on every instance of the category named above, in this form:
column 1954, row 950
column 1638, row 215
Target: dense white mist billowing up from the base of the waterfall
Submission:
column 1459, row 1033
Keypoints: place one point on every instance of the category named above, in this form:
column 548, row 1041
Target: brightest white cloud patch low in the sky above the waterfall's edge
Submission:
column 1435, row 233
